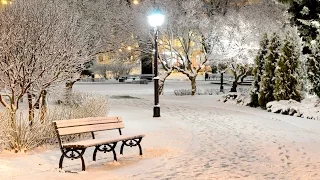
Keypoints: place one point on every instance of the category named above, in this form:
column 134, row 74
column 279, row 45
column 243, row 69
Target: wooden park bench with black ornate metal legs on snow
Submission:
column 75, row 150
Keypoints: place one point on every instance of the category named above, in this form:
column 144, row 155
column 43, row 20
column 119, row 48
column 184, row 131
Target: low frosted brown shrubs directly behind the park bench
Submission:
column 23, row 137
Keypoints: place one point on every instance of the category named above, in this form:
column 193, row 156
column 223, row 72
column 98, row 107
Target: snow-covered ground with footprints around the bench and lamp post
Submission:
column 195, row 138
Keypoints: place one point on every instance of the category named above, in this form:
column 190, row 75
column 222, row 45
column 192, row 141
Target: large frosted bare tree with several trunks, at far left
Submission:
column 44, row 44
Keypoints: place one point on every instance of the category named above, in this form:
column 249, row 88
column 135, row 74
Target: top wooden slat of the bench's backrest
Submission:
column 87, row 121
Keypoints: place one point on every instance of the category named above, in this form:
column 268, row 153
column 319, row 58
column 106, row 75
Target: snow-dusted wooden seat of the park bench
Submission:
column 100, row 141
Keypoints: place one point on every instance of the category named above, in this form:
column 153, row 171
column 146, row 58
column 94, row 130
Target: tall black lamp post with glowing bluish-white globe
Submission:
column 156, row 19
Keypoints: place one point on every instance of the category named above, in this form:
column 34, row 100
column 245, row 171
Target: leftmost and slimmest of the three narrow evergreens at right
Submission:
column 258, row 70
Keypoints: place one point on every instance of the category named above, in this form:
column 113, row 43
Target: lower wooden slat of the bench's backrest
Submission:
column 90, row 128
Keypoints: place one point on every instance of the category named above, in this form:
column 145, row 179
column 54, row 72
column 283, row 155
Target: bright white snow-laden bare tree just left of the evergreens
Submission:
column 240, row 31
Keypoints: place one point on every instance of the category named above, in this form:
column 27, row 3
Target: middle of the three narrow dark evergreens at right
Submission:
column 267, row 83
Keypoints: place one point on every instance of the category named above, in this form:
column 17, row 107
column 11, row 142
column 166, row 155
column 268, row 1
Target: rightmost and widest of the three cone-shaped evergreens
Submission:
column 287, row 72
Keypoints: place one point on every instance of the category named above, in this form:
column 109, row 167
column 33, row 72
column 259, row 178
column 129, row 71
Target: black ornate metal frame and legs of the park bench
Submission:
column 77, row 152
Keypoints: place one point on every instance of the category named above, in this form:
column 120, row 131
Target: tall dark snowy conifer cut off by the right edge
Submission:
column 306, row 16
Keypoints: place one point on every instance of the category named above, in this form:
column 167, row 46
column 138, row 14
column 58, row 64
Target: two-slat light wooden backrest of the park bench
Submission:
column 91, row 124
